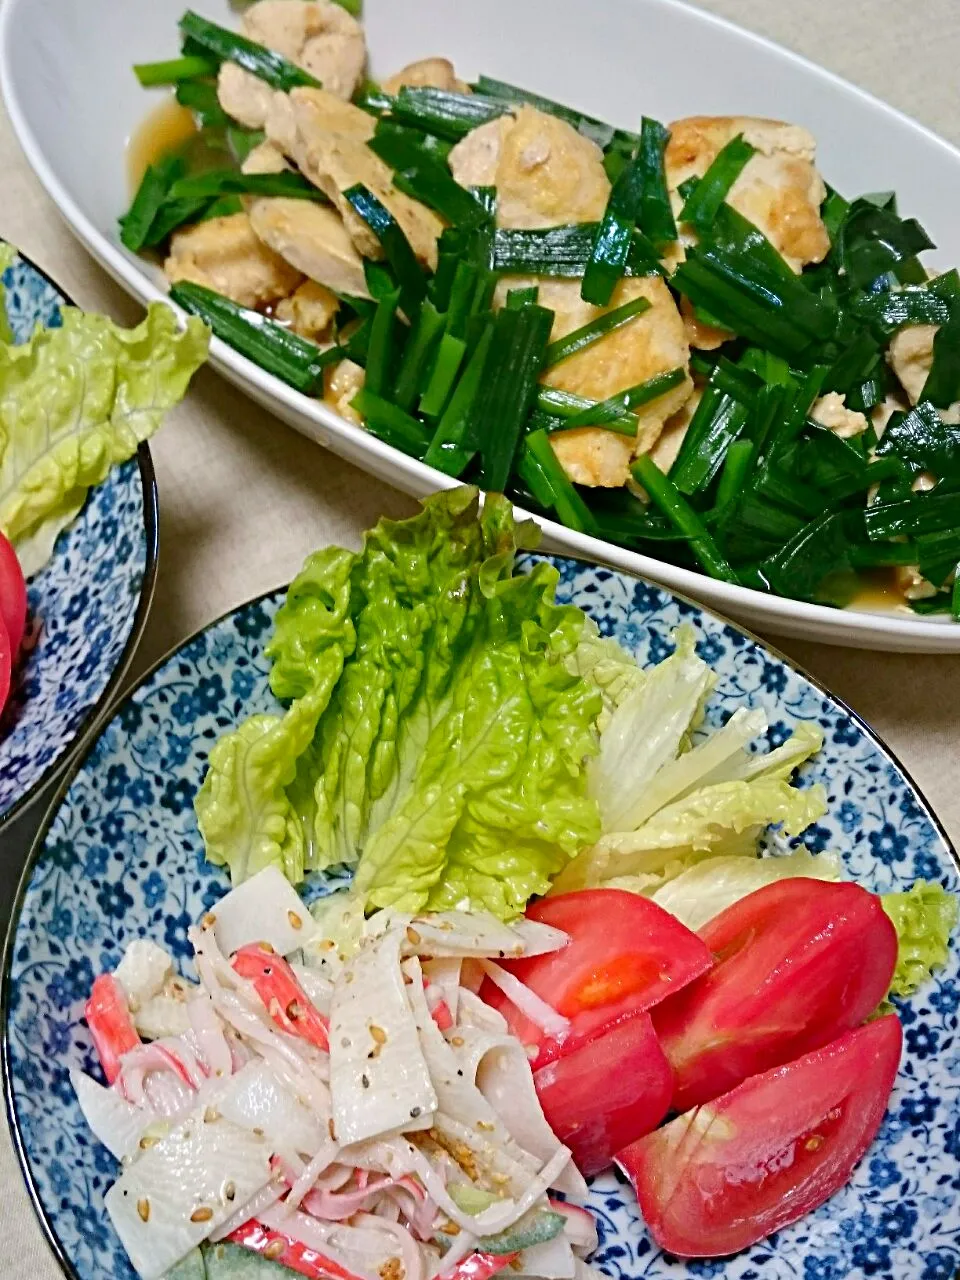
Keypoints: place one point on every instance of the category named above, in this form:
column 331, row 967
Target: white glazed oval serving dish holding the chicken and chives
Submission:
column 74, row 100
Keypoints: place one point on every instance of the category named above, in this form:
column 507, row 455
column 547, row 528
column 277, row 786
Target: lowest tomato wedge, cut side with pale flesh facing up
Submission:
column 730, row 1173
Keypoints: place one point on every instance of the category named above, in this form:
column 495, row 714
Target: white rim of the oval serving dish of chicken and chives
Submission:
column 872, row 632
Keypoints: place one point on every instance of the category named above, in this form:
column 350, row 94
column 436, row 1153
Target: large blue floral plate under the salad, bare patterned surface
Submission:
column 122, row 858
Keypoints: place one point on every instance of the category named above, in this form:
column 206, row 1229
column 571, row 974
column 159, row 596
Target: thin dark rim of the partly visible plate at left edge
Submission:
column 102, row 707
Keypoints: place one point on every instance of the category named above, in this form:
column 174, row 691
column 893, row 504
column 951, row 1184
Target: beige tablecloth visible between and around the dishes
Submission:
column 244, row 499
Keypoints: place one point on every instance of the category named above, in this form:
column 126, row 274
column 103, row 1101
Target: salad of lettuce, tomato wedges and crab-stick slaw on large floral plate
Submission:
column 570, row 926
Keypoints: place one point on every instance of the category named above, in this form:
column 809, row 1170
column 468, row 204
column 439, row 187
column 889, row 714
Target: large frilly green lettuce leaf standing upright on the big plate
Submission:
column 446, row 758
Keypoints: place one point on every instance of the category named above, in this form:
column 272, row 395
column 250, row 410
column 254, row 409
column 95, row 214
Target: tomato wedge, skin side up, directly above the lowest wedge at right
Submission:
column 798, row 964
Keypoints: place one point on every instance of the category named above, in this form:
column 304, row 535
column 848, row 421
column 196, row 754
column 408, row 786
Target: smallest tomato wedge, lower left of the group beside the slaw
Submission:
column 607, row 1094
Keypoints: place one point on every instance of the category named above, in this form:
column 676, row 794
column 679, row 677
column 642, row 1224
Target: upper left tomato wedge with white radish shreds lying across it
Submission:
column 624, row 957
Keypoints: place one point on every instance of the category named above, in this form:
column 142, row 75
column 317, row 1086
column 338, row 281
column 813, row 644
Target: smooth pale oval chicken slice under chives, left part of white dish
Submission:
column 313, row 240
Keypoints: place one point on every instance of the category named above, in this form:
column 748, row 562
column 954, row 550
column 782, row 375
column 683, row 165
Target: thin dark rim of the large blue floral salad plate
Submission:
column 36, row 849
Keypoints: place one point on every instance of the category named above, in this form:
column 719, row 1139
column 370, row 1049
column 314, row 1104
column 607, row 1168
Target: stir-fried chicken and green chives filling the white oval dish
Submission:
column 678, row 340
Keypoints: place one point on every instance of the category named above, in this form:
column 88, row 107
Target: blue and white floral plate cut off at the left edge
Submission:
column 88, row 607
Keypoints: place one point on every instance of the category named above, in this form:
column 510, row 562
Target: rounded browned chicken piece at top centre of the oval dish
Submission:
column 546, row 173
